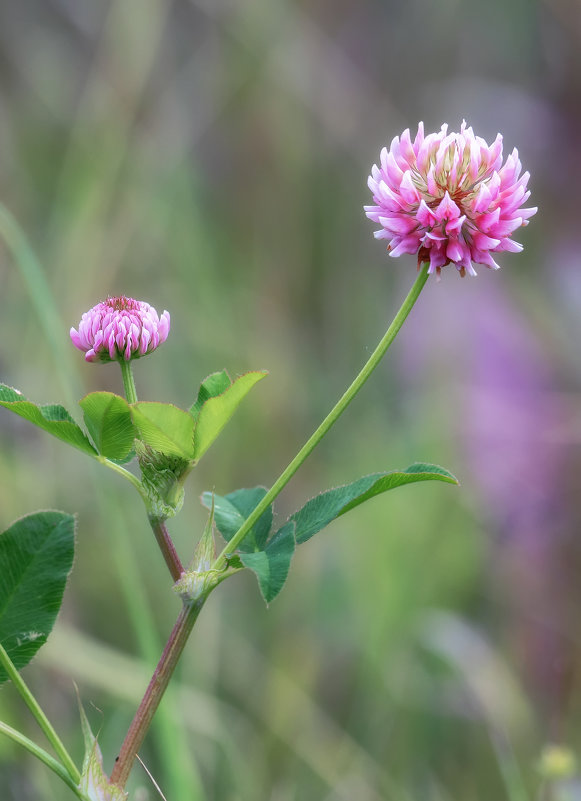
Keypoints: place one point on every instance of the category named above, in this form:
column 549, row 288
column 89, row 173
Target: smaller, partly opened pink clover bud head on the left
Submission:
column 120, row 329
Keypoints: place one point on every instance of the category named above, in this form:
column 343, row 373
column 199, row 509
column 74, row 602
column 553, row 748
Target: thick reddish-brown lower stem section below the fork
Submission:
column 154, row 693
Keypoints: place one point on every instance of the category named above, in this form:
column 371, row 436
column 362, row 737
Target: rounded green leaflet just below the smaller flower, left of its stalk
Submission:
column 108, row 420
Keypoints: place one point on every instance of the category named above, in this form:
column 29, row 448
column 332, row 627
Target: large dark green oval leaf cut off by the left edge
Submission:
column 36, row 556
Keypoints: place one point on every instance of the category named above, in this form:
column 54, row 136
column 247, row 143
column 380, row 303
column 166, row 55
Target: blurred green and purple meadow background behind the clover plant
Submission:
column 211, row 157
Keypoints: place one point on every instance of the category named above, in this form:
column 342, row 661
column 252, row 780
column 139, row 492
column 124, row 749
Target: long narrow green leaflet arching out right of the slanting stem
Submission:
column 321, row 510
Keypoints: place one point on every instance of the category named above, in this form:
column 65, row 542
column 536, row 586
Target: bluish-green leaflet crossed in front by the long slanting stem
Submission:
column 230, row 512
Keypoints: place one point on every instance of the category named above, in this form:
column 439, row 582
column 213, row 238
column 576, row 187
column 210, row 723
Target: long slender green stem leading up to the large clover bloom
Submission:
column 331, row 418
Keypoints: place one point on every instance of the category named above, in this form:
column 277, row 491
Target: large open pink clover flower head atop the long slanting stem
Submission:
column 448, row 198
